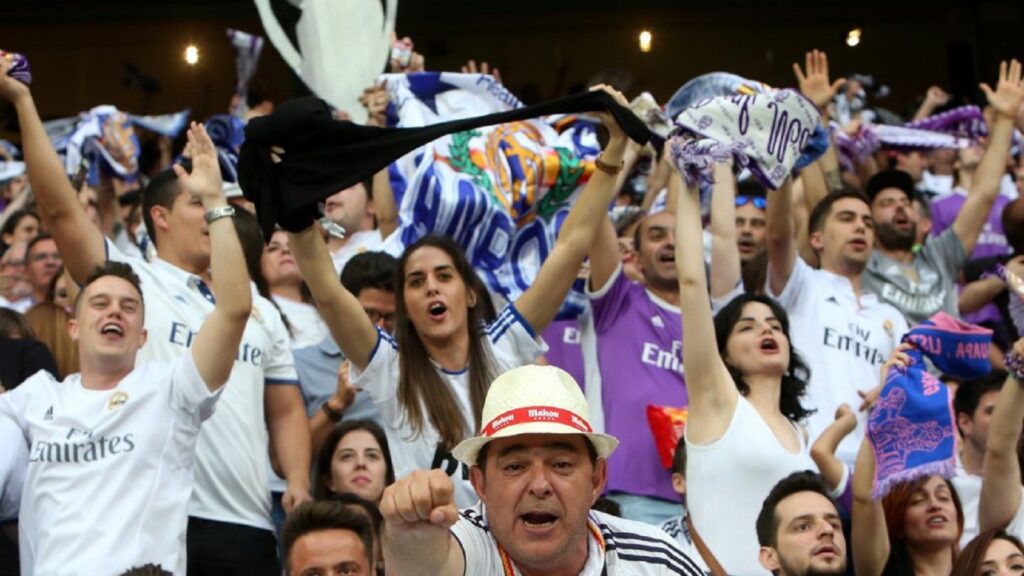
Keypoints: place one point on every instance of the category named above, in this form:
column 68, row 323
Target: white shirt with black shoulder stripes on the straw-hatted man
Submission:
column 616, row 548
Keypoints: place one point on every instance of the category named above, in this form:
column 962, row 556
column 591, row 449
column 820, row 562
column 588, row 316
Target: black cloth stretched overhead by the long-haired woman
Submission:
column 324, row 155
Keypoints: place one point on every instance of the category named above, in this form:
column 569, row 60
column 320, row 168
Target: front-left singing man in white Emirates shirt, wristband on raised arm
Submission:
column 111, row 450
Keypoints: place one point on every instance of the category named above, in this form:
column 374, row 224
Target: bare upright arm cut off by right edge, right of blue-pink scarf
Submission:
column 1001, row 486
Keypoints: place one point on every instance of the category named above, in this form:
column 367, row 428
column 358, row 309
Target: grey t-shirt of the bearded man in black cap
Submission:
column 924, row 287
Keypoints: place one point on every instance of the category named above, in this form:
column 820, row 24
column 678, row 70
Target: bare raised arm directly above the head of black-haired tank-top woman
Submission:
column 724, row 252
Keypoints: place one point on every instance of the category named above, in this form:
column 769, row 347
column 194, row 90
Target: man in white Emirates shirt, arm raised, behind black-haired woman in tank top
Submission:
column 843, row 333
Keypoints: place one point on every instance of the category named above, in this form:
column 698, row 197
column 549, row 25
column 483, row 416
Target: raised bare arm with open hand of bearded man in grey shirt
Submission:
column 1006, row 101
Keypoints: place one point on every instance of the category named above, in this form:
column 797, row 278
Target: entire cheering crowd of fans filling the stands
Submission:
column 774, row 332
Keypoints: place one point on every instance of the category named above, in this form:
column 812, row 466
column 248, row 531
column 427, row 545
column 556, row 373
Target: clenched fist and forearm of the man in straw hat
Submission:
column 418, row 511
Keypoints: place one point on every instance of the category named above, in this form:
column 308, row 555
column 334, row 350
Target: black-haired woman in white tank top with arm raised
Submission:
column 745, row 386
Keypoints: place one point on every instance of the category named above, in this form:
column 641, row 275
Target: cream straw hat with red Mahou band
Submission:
column 534, row 400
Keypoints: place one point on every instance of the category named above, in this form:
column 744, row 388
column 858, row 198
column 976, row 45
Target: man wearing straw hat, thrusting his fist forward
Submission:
column 538, row 469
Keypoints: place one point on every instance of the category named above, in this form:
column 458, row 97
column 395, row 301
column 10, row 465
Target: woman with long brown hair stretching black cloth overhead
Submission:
column 430, row 382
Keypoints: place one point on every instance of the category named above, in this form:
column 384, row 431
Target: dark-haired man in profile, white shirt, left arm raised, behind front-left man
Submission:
column 231, row 509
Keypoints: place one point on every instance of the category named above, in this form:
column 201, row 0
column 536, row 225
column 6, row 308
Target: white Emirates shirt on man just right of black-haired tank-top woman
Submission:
column 843, row 342
